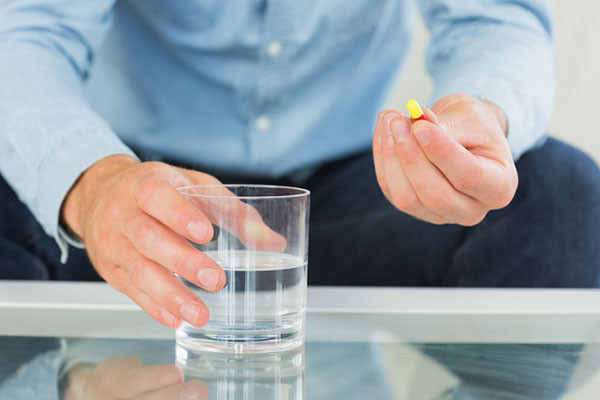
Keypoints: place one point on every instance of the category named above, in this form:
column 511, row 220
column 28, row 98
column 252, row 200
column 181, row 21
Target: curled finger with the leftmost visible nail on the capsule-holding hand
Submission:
column 431, row 187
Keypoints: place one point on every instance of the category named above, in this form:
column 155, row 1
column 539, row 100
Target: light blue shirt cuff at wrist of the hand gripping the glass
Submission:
column 61, row 168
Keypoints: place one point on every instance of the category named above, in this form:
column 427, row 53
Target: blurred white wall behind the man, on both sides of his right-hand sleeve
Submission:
column 577, row 35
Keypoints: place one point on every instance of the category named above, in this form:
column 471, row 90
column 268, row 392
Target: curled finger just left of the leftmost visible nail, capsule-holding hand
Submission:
column 401, row 192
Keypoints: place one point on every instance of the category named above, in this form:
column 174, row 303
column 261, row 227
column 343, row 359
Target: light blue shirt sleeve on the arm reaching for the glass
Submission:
column 48, row 133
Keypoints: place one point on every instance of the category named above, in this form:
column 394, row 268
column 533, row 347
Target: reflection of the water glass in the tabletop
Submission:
column 246, row 376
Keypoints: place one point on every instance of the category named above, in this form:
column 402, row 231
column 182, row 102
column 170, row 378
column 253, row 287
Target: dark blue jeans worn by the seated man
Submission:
column 547, row 237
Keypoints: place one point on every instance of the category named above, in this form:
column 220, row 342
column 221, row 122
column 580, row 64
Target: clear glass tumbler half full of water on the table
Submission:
column 261, row 242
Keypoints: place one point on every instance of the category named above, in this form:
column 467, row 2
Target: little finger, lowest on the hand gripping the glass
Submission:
column 121, row 282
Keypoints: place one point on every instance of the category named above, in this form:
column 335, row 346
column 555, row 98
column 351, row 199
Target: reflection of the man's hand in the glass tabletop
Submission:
column 128, row 378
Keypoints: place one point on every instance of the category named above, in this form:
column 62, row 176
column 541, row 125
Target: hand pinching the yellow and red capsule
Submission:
column 452, row 168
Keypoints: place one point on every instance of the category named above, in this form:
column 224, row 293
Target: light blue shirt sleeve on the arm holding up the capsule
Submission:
column 500, row 51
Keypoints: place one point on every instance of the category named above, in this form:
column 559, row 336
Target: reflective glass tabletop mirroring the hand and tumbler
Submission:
column 52, row 368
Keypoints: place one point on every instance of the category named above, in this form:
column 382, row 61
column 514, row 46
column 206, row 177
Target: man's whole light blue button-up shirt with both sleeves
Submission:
column 264, row 87
